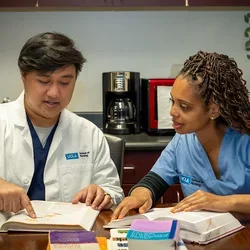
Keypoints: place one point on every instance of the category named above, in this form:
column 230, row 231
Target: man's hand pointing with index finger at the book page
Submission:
column 13, row 199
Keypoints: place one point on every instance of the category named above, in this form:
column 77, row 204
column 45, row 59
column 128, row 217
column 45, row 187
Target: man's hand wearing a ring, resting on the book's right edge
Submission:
column 95, row 196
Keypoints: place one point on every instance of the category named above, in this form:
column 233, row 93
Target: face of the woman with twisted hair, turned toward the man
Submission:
column 188, row 111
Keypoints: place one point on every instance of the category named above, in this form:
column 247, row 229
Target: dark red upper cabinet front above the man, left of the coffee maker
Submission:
column 74, row 3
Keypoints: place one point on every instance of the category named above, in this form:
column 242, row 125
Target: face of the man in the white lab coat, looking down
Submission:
column 47, row 94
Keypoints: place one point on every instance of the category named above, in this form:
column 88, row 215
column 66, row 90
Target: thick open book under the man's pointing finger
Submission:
column 50, row 216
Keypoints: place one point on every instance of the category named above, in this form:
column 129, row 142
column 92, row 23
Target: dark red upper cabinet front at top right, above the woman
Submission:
column 219, row 2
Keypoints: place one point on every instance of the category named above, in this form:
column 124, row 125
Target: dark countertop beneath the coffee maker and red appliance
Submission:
column 144, row 141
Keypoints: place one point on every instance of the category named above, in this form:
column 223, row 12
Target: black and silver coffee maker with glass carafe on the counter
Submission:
column 121, row 102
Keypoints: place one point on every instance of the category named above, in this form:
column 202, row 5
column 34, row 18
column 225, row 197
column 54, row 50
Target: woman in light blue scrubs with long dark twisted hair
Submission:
column 210, row 153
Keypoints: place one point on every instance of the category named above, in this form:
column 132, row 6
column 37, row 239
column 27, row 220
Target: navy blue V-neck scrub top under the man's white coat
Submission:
column 37, row 188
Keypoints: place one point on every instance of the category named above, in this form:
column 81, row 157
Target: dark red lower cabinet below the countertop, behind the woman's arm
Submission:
column 137, row 164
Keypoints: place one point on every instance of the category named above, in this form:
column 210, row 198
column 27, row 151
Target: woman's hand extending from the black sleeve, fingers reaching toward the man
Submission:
column 141, row 198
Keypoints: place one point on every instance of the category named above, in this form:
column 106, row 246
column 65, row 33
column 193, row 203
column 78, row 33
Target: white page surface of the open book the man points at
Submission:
column 56, row 213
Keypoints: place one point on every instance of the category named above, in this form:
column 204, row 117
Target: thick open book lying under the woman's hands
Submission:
column 199, row 226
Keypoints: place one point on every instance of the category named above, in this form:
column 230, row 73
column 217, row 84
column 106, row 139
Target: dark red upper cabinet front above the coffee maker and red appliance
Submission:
column 159, row 3
